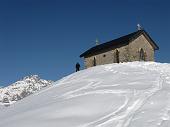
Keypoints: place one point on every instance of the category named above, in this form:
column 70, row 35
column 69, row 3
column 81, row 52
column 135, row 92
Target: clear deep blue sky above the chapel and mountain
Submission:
column 46, row 37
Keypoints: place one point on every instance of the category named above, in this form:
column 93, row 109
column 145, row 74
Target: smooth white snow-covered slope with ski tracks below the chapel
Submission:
column 135, row 94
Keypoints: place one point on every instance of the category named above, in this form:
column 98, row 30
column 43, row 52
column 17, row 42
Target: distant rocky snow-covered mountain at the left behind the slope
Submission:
column 21, row 89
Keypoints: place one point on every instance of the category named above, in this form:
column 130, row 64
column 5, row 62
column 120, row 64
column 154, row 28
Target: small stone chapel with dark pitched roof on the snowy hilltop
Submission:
column 136, row 46
